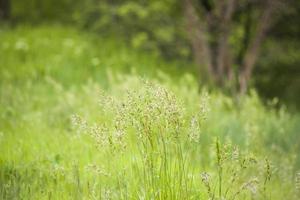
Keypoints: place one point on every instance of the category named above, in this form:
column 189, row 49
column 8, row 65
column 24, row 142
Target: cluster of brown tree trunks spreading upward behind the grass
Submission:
column 214, row 57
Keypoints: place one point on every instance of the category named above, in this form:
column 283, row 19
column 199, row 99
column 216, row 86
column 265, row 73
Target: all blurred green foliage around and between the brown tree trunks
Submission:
column 158, row 27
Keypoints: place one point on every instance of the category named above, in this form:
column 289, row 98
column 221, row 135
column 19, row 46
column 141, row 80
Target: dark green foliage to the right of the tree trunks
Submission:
column 278, row 73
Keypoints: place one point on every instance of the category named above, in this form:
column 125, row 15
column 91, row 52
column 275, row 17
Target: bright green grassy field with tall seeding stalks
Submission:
column 83, row 117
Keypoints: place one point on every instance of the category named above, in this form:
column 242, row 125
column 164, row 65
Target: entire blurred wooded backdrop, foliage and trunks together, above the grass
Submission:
column 246, row 42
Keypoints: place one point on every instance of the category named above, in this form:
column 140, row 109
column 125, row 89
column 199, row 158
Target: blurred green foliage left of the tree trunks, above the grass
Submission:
column 149, row 25
